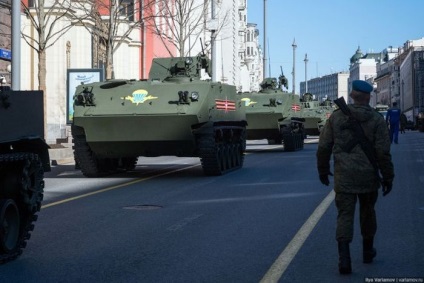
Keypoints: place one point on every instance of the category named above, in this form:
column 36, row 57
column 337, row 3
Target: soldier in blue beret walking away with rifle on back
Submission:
column 355, row 177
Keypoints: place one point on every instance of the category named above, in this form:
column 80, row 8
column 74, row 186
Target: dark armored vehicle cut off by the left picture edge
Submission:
column 24, row 158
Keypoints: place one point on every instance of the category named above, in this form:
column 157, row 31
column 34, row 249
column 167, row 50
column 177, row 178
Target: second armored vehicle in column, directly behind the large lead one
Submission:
column 270, row 116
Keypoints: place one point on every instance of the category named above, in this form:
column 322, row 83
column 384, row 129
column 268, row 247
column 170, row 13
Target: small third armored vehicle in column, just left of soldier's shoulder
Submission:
column 315, row 114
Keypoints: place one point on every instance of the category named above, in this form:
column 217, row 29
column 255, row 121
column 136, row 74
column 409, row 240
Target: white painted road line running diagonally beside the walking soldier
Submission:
column 280, row 265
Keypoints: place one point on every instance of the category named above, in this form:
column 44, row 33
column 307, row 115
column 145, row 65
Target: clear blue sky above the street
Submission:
column 330, row 32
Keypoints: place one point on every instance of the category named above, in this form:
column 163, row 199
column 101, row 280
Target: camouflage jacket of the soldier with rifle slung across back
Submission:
column 353, row 172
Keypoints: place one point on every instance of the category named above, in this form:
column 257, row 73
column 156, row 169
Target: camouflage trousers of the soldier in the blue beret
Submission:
column 345, row 204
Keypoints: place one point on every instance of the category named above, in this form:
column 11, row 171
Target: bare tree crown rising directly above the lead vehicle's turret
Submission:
column 182, row 22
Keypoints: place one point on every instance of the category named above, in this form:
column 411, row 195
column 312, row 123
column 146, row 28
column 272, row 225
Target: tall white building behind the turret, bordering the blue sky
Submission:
column 238, row 56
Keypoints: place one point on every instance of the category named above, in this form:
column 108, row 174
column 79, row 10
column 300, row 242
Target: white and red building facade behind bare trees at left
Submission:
column 83, row 47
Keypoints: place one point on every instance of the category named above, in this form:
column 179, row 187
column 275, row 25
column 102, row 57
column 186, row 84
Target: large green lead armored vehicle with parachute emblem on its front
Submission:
column 173, row 113
